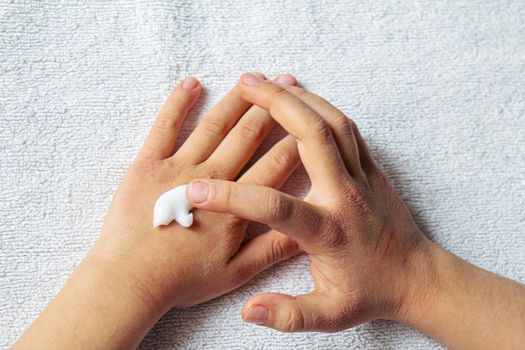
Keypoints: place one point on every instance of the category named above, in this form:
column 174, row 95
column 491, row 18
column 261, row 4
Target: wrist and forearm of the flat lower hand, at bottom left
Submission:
column 96, row 308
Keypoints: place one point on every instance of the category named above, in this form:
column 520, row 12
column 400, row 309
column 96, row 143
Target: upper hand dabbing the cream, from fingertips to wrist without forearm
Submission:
column 369, row 260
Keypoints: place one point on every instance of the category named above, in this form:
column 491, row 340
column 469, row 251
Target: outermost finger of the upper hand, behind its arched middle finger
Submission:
column 341, row 125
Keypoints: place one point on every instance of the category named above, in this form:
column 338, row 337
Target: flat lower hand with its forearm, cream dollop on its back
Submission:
column 135, row 273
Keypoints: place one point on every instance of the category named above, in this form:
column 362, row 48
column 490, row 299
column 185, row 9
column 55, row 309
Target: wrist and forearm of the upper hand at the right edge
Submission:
column 456, row 302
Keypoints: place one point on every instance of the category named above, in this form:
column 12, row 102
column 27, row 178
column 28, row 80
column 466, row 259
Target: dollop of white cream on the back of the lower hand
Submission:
column 173, row 205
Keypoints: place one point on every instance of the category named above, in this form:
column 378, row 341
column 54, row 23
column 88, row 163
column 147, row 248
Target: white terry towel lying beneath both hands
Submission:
column 437, row 88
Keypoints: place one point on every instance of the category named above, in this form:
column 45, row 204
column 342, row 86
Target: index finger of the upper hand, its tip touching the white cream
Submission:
column 282, row 212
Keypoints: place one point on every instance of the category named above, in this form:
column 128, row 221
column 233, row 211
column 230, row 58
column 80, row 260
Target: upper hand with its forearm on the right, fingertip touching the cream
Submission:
column 369, row 260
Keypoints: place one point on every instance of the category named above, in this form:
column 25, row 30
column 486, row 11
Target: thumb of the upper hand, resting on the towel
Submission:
column 309, row 312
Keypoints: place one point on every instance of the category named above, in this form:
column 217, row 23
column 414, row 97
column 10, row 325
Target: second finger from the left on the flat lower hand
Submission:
column 214, row 127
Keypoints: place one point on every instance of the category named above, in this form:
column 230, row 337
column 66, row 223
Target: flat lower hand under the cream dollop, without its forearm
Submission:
column 174, row 266
